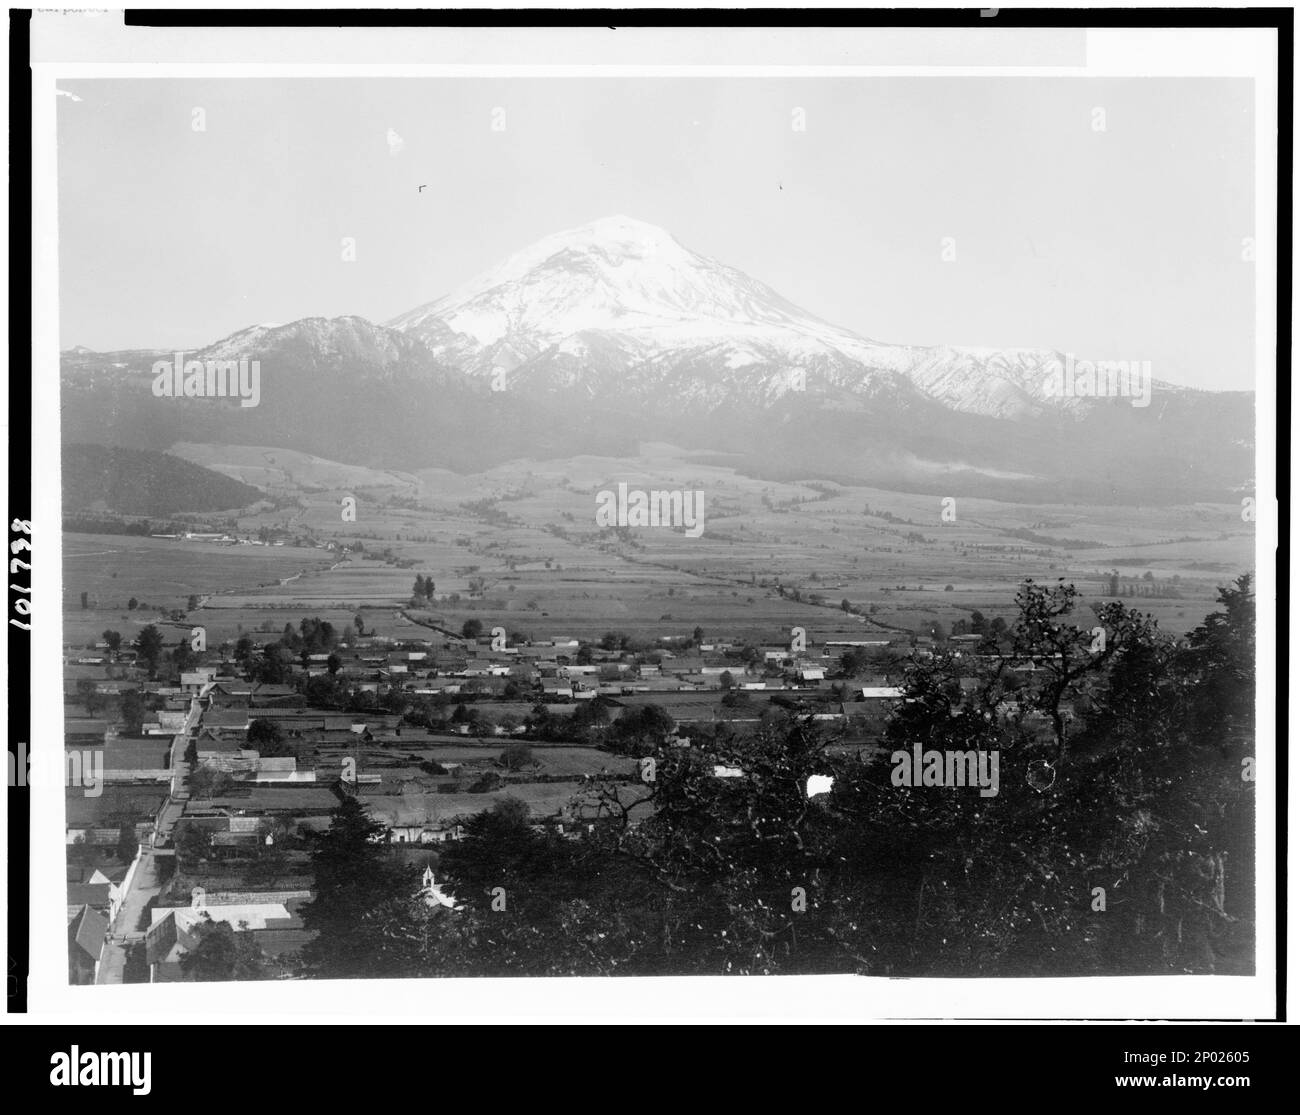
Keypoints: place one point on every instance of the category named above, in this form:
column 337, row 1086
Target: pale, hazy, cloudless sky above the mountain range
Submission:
column 1124, row 244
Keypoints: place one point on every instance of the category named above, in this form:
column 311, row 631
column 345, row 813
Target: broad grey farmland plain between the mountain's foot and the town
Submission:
column 519, row 548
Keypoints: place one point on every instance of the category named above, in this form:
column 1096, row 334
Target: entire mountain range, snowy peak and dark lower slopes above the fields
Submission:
column 599, row 339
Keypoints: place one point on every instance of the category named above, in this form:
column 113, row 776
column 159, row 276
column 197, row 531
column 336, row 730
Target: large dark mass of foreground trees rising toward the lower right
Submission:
column 1120, row 841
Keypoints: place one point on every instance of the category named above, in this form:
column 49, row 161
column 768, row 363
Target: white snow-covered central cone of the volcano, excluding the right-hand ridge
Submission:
column 619, row 293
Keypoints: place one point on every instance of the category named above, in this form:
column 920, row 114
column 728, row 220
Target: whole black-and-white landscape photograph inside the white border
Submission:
column 642, row 526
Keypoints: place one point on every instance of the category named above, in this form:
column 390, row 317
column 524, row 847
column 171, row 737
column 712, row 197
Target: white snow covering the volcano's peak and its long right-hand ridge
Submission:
column 621, row 306
